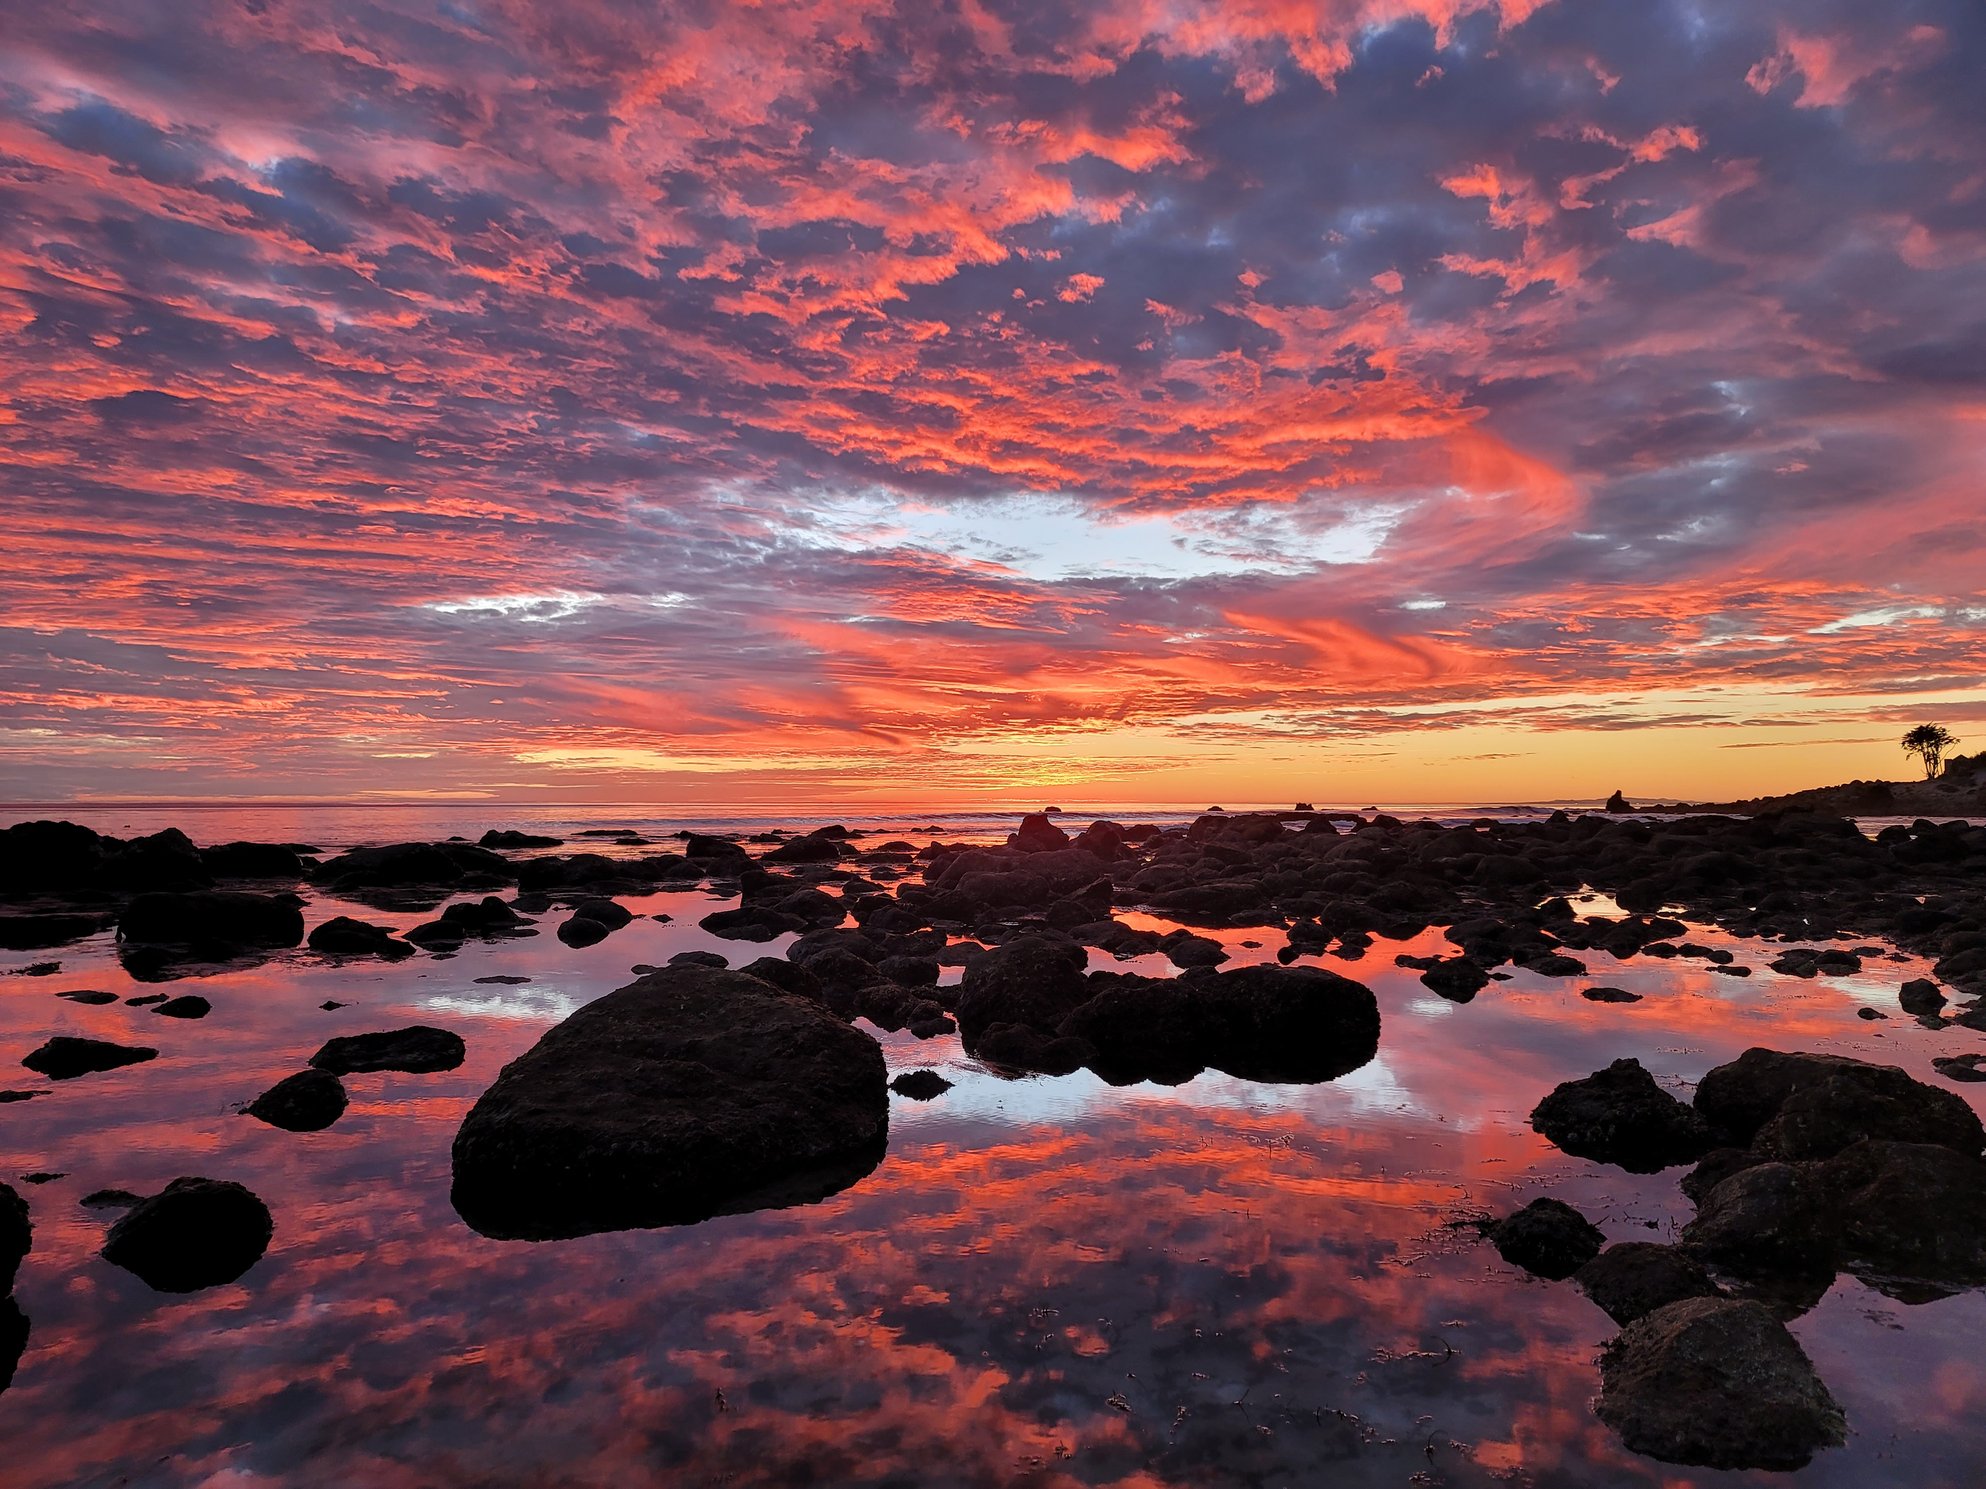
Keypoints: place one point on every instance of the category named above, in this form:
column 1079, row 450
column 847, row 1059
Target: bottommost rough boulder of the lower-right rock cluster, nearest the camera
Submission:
column 1717, row 1383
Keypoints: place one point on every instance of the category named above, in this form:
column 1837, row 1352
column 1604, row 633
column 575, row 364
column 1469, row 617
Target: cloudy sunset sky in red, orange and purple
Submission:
column 974, row 400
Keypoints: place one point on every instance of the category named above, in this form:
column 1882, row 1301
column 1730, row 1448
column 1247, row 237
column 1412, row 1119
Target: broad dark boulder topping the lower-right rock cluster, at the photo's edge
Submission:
column 1808, row 1107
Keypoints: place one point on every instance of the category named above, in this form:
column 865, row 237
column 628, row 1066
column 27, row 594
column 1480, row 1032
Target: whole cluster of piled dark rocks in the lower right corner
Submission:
column 1804, row 1166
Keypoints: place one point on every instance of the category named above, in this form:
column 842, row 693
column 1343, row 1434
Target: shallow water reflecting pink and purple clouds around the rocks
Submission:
column 1046, row 1284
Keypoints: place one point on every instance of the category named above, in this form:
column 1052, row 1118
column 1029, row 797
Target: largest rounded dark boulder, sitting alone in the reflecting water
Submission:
column 686, row 1095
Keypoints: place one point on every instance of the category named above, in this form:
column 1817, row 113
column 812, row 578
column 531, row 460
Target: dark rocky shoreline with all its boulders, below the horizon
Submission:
column 702, row 1091
